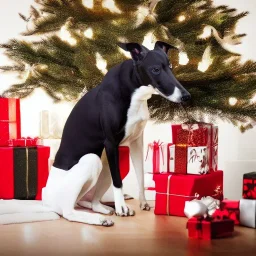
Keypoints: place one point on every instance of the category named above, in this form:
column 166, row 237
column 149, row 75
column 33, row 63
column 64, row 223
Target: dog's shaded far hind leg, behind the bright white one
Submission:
column 103, row 184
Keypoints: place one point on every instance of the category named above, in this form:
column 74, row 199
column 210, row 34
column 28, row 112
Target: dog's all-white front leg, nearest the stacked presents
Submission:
column 136, row 148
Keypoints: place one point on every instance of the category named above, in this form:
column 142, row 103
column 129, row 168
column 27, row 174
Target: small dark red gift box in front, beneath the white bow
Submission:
column 208, row 229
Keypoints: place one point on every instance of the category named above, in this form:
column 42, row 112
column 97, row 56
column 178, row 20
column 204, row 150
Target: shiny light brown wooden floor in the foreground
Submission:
column 144, row 234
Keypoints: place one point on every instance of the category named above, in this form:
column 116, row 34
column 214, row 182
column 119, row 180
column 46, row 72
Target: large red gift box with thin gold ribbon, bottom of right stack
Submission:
column 172, row 191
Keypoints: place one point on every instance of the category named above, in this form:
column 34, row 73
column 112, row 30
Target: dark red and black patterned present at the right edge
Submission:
column 249, row 185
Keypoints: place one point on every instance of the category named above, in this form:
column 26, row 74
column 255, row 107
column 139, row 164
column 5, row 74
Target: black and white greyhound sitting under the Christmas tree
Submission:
column 112, row 114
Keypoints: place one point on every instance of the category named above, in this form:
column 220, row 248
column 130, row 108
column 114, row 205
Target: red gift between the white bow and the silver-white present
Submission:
column 229, row 209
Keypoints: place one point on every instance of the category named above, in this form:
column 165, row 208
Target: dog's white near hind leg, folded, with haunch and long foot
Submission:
column 77, row 181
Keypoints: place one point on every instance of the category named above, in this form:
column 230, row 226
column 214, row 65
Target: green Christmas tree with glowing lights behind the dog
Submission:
column 76, row 45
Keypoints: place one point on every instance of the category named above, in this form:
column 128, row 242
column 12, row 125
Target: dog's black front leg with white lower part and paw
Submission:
column 113, row 160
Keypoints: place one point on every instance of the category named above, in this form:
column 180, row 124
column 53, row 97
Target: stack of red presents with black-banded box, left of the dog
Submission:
column 23, row 163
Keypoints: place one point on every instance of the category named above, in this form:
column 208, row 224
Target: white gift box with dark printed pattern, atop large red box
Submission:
column 198, row 160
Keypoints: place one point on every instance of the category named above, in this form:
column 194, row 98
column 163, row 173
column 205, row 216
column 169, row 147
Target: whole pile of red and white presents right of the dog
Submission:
column 185, row 178
